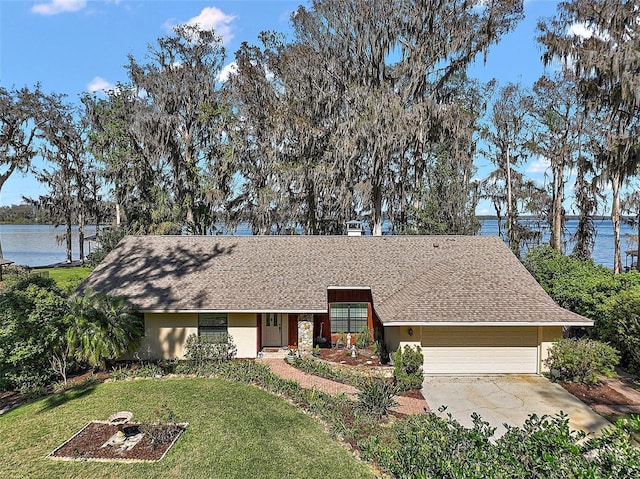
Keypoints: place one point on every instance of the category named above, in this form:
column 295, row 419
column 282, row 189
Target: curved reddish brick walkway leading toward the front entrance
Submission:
column 308, row 381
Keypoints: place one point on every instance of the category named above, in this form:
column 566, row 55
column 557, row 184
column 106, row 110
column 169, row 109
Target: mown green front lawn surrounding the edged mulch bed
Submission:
column 235, row 431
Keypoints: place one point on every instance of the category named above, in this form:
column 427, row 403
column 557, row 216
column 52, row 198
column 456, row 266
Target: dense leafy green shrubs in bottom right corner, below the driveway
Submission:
column 427, row 446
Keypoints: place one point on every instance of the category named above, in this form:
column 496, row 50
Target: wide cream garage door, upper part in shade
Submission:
column 480, row 350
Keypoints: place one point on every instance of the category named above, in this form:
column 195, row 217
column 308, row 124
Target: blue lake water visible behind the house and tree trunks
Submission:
column 36, row 245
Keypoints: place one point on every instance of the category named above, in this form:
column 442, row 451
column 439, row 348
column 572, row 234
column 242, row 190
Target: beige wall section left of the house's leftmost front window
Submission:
column 166, row 333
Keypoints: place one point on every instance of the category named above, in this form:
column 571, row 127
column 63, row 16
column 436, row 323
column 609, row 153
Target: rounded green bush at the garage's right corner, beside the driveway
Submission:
column 581, row 360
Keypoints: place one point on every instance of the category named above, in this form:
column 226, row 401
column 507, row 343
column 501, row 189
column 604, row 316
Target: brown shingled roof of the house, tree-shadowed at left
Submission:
column 413, row 279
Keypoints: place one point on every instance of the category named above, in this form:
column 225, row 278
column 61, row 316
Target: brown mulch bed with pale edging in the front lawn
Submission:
column 86, row 445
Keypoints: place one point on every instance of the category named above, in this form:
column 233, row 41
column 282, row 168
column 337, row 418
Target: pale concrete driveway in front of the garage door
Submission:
column 506, row 399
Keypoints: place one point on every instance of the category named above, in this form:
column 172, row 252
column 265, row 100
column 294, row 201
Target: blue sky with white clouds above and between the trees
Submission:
column 73, row 46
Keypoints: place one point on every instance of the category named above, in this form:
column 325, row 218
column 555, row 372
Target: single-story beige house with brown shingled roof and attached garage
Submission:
column 466, row 300
